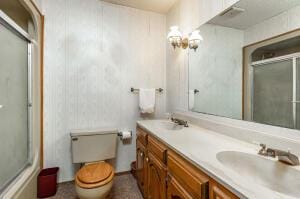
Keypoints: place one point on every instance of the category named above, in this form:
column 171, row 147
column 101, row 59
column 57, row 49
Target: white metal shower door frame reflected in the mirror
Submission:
column 293, row 57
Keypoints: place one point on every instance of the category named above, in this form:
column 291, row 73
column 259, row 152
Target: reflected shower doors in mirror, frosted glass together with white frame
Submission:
column 276, row 91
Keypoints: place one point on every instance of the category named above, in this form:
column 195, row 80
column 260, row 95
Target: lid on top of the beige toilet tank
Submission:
column 88, row 132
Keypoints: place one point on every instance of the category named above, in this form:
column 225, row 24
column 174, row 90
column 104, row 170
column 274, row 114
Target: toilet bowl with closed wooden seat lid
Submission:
column 94, row 180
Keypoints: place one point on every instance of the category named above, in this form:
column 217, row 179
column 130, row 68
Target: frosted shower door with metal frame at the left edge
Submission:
column 15, row 100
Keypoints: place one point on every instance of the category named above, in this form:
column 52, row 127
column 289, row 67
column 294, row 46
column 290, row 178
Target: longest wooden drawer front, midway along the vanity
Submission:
column 190, row 177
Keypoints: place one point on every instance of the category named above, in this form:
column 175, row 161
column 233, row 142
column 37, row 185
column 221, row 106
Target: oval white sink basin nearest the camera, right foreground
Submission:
column 273, row 175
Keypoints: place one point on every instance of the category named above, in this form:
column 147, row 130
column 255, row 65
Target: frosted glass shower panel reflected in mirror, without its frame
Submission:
column 273, row 93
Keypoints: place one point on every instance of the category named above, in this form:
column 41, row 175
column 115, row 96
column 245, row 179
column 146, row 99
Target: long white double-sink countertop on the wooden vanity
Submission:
column 201, row 146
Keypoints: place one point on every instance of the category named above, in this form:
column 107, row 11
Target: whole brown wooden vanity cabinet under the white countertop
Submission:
column 164, row 174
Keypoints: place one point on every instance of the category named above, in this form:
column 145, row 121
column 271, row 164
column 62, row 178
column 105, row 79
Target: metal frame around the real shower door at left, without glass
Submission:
column 8, row 23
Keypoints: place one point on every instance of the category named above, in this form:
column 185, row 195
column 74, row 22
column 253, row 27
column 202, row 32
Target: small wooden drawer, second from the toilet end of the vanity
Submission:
column 157, row 148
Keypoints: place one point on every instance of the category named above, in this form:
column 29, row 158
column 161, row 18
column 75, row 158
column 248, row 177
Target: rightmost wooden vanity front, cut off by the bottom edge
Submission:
column 217, row 191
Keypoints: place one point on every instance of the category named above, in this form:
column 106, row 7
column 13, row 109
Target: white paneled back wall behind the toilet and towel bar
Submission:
column 94, row 53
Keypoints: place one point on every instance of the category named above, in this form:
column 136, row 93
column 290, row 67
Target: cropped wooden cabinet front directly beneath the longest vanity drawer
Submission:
column 175, row 190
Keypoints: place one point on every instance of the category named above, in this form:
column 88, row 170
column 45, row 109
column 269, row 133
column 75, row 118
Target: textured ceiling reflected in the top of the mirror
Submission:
column 255, row 12
